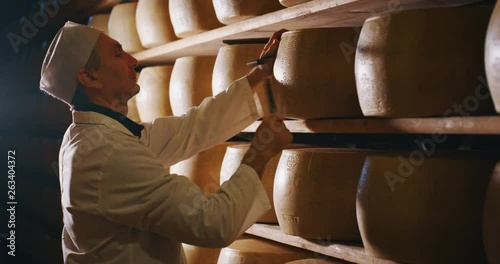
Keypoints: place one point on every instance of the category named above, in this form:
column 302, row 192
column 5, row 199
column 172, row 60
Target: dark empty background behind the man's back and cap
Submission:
column 32, row 124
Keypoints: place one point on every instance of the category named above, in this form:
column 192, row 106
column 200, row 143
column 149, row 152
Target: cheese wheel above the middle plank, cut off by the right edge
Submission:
column 492, row 56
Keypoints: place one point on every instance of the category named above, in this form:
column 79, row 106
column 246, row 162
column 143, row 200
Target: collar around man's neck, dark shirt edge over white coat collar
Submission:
column 95, row 114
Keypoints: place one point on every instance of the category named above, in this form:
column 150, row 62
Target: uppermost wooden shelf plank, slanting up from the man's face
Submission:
column 313, row 14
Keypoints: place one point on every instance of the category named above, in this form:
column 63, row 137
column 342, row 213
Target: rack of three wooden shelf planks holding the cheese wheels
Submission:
column 315, row 14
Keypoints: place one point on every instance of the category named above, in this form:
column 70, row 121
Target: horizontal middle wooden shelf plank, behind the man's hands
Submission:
column 484, row 125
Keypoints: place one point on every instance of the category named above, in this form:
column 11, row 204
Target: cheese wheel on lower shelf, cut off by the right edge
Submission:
column 491, row 218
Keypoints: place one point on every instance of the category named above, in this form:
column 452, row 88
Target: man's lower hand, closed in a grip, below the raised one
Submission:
column 270, row 138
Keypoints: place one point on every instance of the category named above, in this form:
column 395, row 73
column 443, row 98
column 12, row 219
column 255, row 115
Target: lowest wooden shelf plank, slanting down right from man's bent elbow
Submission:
column 350, row 252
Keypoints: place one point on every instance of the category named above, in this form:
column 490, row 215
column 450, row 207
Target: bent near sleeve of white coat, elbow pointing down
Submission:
column 137, row 191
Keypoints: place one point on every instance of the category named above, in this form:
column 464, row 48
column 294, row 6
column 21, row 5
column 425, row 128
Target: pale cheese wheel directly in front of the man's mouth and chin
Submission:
column 153, row 99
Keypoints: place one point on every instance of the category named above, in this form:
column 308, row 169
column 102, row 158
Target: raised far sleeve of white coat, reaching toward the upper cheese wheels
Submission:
column 214, row 121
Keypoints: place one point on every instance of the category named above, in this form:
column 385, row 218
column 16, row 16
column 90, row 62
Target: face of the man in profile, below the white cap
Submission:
column 116, row 72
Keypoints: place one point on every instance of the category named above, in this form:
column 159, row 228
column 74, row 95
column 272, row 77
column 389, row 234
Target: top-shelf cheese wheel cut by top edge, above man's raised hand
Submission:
column 232, row 11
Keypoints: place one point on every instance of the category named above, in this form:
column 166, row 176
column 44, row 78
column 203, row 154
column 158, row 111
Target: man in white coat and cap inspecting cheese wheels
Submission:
column 119, row 203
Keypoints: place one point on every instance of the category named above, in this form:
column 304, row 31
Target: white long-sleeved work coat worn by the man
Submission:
column 121, row 206
